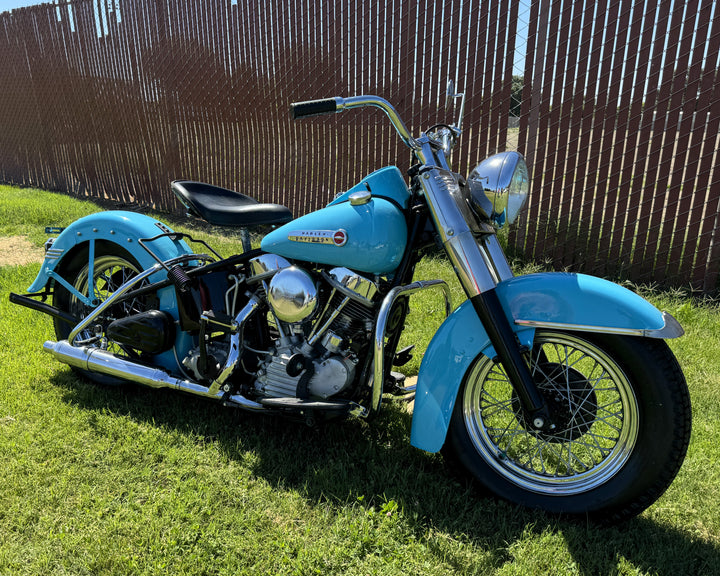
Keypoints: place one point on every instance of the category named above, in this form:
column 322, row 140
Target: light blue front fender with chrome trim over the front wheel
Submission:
column 548, row 300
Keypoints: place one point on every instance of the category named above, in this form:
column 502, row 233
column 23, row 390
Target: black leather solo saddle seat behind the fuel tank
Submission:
column 223, row 207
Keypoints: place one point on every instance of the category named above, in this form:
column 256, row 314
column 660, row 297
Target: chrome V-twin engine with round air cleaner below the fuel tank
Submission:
column 322, row 322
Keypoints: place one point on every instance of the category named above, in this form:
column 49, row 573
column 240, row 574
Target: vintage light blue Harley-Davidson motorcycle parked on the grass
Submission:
column 553, row 390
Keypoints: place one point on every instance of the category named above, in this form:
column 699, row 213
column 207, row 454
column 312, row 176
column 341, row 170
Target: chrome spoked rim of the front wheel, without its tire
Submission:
column 592, row 402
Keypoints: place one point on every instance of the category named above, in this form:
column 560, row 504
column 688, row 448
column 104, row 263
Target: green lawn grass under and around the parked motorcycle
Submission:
column 136, row 481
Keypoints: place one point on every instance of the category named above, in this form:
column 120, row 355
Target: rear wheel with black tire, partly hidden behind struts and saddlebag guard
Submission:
column 113, row 265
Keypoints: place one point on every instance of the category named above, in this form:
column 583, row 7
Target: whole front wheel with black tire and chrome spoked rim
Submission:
column 622, row 413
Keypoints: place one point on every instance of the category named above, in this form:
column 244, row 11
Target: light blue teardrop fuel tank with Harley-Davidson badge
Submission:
column 361, row 231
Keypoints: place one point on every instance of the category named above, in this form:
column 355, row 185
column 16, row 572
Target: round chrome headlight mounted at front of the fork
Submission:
column 503, row 179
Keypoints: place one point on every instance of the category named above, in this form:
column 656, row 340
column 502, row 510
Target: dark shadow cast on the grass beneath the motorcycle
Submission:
column 371, row 463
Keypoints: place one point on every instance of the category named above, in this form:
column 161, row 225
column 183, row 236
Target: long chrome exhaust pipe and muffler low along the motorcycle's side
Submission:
column 103, row 362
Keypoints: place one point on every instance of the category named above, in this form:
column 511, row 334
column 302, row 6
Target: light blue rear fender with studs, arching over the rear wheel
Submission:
column 119, row 227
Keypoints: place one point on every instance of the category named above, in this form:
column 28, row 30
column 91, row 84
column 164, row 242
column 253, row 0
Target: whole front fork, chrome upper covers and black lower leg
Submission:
column 480, row 265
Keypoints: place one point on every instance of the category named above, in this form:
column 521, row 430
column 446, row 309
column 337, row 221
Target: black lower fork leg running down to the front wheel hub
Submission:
column 489, row 310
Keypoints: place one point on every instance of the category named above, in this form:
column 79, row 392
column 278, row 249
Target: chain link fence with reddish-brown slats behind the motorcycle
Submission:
column 618, row 115
